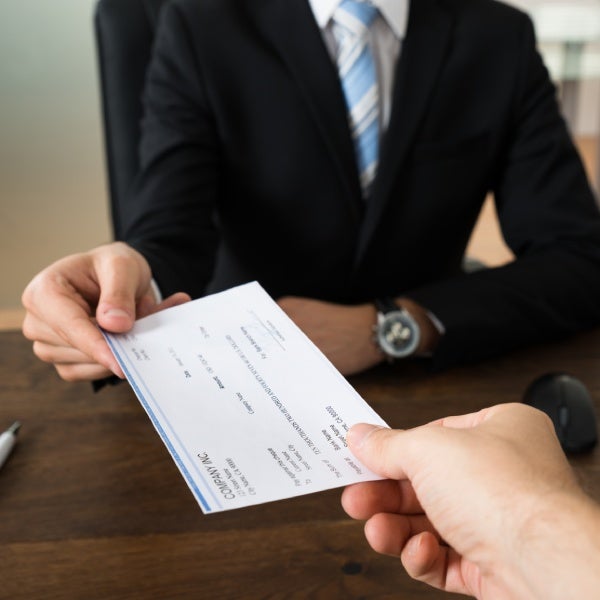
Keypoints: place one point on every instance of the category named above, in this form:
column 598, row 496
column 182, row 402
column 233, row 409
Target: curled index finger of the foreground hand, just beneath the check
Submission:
column 363, row 500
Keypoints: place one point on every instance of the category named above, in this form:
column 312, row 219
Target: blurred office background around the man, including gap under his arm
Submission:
column 53, row 193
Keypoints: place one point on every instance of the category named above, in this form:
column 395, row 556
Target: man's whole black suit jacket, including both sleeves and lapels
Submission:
column 248, row 171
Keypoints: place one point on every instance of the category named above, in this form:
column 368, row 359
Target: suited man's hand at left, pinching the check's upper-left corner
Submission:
column 110, row 286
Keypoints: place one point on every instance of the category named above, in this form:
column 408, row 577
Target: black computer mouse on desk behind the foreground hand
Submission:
column 569, row 404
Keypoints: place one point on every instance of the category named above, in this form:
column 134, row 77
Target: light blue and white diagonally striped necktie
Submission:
column 359, row 82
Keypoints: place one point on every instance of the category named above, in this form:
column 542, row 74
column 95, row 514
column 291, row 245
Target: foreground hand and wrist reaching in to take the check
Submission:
column 483, row 504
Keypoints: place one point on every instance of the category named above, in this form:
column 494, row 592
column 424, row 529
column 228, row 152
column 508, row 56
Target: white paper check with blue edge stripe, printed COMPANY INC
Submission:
column 249, row 408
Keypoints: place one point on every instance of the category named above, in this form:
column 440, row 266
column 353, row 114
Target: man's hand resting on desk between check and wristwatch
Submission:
column 343, row 333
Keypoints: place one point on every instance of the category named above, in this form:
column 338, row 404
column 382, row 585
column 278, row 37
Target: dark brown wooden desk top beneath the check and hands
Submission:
column 92, row 506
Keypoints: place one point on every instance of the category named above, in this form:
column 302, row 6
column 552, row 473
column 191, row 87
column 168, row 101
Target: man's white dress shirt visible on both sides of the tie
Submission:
column 387, row 32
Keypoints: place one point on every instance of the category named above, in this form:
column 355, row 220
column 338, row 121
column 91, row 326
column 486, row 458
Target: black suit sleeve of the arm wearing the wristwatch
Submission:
column 550, row 220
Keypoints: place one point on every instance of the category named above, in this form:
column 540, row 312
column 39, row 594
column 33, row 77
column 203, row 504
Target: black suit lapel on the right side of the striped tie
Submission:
column 423, row 52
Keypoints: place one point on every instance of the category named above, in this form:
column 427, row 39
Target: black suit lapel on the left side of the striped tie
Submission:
column 289, row 26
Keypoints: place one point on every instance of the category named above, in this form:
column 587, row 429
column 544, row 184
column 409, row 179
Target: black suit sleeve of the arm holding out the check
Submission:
column 169, row 216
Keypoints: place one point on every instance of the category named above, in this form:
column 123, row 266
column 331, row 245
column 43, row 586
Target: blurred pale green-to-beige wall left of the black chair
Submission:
column 52, row 188
